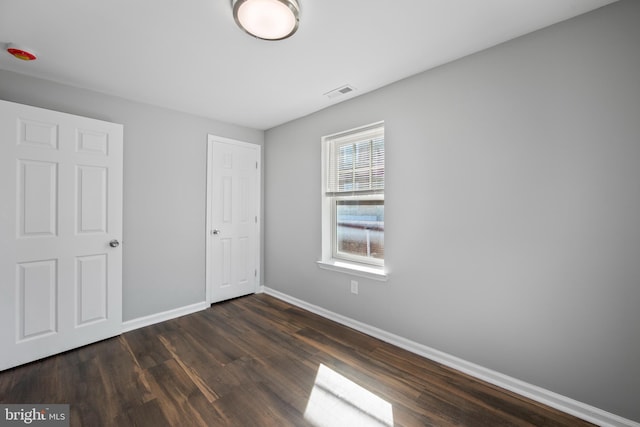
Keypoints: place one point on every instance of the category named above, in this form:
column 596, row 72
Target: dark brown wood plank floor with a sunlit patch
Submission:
column 258, row 361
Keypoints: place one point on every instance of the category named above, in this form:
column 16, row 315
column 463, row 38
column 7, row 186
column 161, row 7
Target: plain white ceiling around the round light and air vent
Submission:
column 188, row 55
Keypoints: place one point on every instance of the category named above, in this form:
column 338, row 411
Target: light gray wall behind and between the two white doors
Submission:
column 164, row 189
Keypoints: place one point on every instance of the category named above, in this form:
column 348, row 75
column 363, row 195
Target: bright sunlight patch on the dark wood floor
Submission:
column 338, row 401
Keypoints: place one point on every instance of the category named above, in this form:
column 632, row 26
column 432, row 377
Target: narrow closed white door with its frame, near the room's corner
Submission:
column 233, row 225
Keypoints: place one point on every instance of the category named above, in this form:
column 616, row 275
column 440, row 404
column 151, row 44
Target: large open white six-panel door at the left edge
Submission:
column 61, row 197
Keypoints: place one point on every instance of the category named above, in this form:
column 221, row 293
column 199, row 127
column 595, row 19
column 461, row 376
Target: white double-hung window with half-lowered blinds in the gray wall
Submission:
column 353, row 198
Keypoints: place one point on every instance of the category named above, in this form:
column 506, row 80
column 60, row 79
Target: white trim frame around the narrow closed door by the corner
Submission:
column 211, row 139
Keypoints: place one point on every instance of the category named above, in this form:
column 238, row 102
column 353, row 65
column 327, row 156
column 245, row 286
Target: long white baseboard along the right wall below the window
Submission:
column 547, row 397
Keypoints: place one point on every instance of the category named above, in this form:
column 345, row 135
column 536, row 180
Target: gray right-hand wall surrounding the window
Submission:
column 512, row 209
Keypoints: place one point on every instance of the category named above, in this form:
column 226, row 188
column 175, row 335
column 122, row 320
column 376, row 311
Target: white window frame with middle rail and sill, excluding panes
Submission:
column 357, row 265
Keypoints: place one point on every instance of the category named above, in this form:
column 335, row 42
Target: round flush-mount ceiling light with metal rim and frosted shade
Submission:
column 267, row 19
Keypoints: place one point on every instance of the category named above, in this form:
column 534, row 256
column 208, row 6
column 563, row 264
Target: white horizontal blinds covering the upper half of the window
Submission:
column 355, row 163
